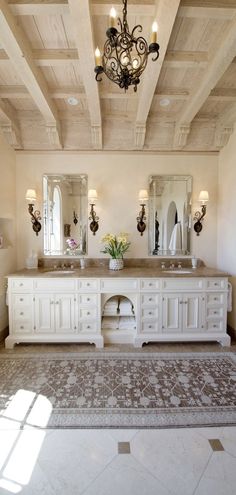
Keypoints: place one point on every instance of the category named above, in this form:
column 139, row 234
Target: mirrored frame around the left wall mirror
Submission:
column 82, row 249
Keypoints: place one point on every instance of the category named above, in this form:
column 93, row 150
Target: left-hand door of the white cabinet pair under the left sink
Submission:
column 44, row 313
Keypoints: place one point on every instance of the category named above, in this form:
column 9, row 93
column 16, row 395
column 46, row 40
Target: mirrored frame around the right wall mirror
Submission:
column 188, row 180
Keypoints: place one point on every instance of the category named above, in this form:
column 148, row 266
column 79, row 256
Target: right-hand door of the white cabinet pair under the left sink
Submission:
column 64, row 305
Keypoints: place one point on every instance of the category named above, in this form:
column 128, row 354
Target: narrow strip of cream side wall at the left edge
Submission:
column 7, row 222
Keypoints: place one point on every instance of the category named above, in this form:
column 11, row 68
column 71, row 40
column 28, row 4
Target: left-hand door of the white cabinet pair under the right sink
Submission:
column 171, row 313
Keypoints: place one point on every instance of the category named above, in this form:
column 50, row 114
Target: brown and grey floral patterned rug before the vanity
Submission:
column 117, row 390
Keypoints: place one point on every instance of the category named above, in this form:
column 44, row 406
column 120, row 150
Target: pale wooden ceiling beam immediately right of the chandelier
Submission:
column 166, row 11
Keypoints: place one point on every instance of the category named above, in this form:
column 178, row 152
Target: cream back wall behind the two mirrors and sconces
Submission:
column 117, row 177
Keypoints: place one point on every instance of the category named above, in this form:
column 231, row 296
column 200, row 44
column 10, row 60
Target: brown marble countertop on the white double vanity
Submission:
column 126, row 272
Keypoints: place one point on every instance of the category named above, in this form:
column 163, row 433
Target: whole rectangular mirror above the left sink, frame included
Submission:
column 65, row 214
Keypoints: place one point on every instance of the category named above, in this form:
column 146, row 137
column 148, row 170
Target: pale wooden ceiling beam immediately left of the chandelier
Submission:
column 81, row 17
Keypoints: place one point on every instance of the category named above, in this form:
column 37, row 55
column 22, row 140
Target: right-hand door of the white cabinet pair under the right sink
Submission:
column 193, row 312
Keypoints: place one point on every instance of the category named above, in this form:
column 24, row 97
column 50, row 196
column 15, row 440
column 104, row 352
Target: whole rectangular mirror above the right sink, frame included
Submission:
column 169, row 214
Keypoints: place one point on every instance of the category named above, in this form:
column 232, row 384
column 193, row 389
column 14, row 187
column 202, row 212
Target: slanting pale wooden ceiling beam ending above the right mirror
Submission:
column 224, row 54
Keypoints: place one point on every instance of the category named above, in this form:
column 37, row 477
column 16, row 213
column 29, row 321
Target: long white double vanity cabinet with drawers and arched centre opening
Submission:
column 162, row 309
